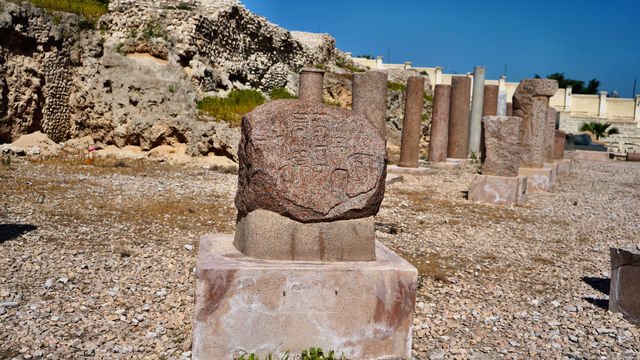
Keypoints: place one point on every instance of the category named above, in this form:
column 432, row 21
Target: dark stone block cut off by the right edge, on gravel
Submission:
column 624, row 294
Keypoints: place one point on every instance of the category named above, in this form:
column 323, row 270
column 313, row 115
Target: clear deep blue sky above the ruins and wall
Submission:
column 583, row 39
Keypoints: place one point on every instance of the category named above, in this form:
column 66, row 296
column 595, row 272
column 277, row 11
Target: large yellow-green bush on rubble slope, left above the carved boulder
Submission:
column 231, row 108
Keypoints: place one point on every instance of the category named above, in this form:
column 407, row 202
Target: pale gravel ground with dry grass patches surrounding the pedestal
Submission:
column 97, row 261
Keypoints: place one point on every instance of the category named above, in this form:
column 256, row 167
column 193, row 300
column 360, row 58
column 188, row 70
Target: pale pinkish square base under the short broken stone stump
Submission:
column 498, row 190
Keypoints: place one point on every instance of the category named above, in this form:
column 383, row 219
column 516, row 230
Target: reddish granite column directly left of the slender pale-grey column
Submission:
column 459, row 112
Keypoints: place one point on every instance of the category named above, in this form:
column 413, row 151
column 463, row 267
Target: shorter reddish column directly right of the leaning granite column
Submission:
column 440, row 124
